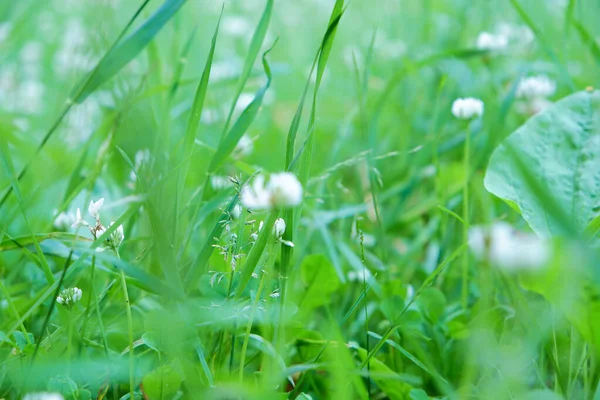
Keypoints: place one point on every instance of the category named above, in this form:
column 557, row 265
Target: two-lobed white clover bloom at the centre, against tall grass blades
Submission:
column 282, row 190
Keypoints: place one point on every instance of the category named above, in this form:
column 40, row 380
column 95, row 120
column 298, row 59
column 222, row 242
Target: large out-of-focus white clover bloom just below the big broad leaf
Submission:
column 502, row 246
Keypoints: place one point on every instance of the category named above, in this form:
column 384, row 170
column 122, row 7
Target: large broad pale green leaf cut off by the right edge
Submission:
column 548, row 167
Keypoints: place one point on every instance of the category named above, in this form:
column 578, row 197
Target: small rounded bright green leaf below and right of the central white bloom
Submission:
column 319, row 281
